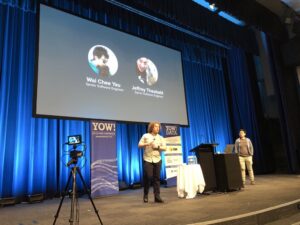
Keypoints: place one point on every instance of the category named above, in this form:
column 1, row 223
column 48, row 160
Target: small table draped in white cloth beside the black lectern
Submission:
column 190, row 180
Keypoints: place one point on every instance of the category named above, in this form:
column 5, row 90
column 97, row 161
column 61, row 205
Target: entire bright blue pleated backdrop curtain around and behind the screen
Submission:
column 33, row 154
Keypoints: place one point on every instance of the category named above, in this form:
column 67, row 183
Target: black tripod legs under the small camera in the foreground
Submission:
column 74, row 214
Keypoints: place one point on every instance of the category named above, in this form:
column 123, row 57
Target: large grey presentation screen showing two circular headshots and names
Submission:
column 89, row 71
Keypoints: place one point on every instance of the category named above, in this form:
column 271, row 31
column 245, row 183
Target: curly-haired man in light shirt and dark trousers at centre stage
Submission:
column 153, row 144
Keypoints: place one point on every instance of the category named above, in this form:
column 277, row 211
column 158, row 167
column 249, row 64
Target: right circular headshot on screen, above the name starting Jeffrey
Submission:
column 146, row 71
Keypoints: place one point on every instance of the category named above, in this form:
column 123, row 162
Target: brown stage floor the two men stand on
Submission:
column 127, row 207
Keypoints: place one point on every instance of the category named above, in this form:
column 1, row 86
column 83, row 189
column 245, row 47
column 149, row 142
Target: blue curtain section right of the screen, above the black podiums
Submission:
column 207, row 106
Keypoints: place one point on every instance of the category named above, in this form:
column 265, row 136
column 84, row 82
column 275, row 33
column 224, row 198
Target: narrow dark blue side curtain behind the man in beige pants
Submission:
column 243, row 108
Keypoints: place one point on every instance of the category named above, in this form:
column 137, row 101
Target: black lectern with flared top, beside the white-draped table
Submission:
column 205, row 156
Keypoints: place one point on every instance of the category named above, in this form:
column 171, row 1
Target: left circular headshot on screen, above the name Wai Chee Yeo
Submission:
column 103, row 61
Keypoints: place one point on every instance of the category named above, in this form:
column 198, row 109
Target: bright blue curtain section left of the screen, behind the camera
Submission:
column 32, row 153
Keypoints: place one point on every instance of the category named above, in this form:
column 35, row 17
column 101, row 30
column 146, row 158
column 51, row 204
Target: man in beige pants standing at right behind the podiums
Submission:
column 244, row 148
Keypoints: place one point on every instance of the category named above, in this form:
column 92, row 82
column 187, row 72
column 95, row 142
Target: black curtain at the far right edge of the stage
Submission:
column 285, row 82
